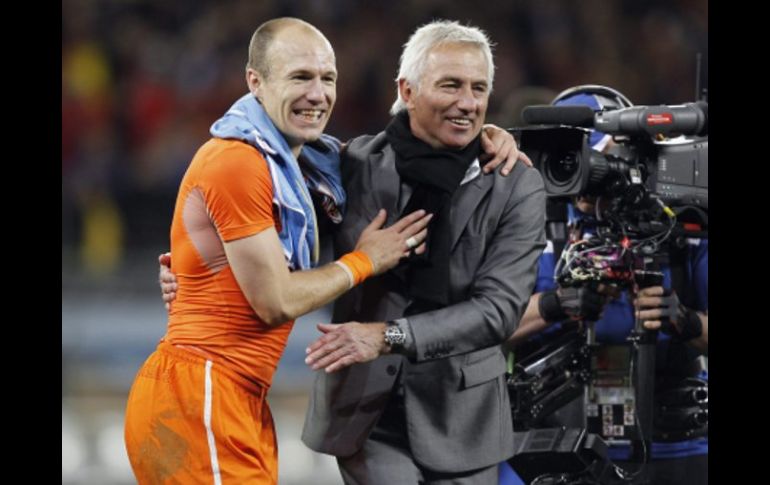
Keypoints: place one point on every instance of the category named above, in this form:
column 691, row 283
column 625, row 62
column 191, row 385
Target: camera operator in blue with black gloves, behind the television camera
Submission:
column 678, row 308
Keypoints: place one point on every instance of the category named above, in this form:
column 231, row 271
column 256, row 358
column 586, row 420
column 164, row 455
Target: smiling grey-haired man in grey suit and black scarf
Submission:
column 412, row 389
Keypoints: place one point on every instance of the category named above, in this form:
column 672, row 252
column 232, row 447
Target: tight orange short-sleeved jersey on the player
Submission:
column 226, row 194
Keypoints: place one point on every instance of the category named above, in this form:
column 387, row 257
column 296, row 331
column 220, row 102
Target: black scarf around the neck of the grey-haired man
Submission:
column 434, row 174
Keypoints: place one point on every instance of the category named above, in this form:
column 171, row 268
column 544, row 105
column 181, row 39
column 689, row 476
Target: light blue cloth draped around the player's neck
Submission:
column 246, row 120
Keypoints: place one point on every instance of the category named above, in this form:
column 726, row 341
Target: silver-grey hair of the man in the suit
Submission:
column 427, row 37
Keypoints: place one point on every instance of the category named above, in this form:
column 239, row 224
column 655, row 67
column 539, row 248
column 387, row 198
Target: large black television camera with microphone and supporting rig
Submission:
column 644, row 169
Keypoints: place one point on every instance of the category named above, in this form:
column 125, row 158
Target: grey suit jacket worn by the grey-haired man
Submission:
column 457, row 409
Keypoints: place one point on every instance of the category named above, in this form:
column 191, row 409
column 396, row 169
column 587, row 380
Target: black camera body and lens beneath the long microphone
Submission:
column 635, row 180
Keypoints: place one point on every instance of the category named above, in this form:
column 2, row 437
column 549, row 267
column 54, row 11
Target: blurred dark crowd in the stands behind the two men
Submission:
column 143, row 80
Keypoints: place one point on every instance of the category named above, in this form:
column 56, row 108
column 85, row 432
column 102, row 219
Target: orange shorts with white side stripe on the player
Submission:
column 190, row 420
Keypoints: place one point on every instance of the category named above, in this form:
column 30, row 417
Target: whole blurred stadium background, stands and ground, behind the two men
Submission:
column 141, row 83
